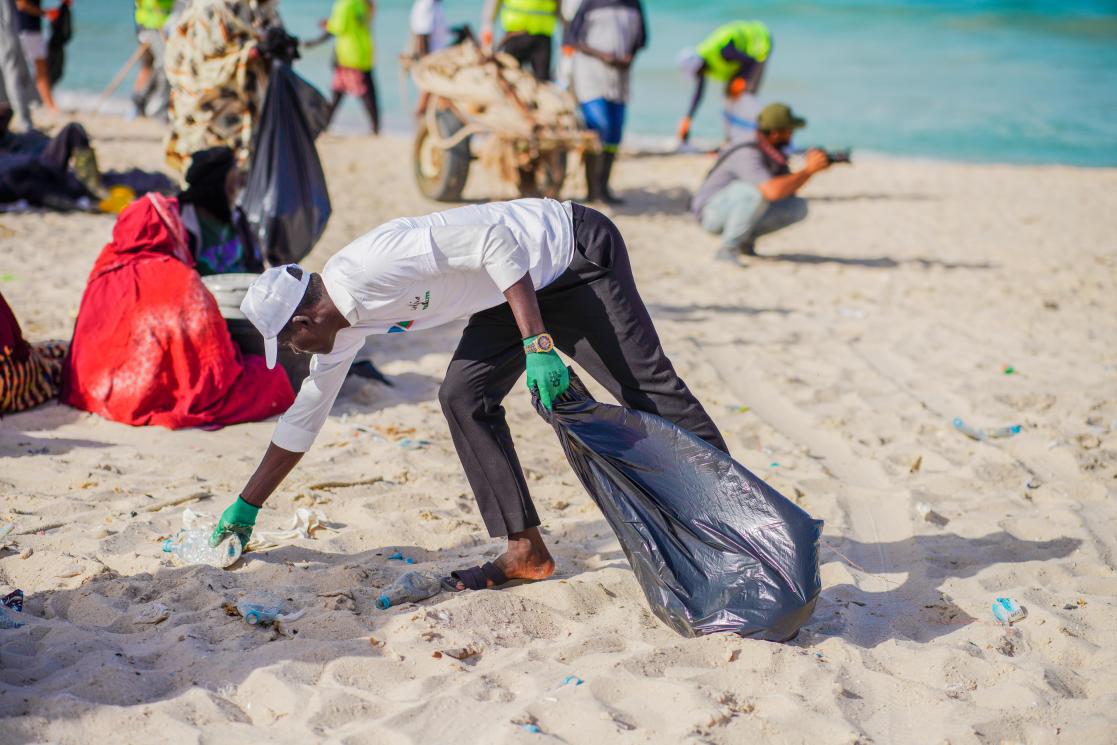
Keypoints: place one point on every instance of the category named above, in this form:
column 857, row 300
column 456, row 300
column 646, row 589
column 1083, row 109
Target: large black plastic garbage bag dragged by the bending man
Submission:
column 714, row 548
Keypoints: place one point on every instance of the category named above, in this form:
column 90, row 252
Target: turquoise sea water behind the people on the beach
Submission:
column 1006, row 81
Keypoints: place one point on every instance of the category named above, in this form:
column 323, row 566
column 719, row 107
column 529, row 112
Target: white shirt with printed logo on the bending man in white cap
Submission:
column 419, row 273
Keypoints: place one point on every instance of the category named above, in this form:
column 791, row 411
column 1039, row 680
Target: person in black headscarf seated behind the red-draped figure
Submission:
column 216, row 230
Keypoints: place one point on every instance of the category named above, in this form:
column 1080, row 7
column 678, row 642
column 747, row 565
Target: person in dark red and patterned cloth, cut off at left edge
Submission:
column 30, row 374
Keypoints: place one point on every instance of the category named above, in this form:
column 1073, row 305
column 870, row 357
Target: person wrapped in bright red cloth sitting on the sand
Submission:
column 150, row 346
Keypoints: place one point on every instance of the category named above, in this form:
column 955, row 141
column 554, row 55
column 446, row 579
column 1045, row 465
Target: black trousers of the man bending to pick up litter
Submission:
column 597, row 318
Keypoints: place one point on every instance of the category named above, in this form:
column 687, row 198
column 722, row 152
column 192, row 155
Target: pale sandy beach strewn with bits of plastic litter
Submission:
column 890, row 312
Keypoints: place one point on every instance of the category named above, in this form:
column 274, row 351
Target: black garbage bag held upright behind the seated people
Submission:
column 285, row 200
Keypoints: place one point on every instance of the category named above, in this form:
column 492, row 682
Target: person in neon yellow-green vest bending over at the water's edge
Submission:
column 736, row 55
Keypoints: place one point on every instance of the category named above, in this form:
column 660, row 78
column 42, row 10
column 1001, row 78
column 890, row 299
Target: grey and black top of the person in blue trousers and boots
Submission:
column 614, row 27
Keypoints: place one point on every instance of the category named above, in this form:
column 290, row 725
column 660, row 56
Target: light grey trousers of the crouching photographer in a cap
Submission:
column 742, row 215
